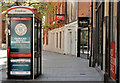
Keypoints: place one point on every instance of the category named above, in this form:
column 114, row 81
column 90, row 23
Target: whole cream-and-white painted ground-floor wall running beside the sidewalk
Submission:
column 68, row 39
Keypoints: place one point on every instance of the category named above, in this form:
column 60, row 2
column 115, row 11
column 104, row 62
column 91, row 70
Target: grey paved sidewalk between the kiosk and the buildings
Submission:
column 59, row 67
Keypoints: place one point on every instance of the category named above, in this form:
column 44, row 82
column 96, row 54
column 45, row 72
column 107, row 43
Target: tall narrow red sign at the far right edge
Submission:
column 113, row 61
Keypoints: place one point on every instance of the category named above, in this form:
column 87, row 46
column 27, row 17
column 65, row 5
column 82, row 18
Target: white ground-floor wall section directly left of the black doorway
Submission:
column 70, row 46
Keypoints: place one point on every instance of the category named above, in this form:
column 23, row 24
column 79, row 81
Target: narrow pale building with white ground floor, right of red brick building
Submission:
column 70, row 44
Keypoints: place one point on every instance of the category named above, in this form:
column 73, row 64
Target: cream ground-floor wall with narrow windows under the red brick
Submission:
column 52, row 41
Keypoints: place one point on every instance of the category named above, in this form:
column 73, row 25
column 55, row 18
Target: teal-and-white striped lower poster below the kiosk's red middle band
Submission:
column 20, row 67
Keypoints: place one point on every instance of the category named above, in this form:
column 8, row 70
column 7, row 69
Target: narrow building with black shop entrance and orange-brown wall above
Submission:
column 83, row 30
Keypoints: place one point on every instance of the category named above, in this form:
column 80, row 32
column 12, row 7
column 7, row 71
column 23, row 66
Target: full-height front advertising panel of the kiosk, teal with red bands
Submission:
column 20, row 45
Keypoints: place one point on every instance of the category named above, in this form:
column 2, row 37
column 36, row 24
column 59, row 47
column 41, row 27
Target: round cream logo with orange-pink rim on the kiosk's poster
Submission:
column 20, row 29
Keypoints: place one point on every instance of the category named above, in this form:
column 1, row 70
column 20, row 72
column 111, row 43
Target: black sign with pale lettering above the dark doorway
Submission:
column 83, row 22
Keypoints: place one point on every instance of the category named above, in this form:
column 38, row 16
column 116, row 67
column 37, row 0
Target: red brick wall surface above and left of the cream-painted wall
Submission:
column 51, row 18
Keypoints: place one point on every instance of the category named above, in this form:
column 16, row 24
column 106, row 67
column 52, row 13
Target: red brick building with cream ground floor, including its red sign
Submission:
column 53, row 37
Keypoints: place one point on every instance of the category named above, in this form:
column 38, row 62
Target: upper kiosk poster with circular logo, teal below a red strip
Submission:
column 20, row 33
